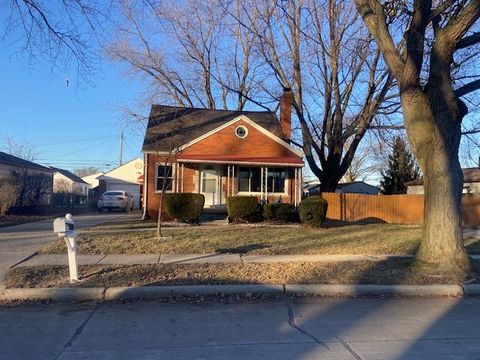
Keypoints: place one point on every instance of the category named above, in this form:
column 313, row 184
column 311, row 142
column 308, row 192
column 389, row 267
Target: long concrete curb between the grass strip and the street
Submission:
column 159, row 292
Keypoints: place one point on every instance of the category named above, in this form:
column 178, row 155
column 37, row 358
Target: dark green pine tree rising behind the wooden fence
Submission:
column 401, row 169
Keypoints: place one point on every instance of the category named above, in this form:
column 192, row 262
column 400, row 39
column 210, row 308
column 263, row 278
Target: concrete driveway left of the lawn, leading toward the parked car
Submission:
column 21, row 241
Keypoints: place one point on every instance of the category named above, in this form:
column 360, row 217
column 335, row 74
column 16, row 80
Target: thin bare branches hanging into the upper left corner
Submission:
column 55, row 31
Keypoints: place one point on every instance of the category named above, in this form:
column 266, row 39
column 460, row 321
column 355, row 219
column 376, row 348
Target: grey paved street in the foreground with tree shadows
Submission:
column 366, row 329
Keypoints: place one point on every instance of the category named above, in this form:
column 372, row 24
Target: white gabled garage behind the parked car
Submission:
column 127, row 177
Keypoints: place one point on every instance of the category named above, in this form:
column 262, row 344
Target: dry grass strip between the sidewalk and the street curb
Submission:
column 388, row 272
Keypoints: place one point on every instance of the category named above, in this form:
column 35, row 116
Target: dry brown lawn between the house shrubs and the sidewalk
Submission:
column 355, row 239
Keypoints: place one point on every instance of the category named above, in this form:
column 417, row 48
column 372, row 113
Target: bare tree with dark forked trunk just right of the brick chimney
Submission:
column 338, row 78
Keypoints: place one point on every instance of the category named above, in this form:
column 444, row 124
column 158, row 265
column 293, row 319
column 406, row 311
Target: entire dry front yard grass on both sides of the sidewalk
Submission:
column 139, row 238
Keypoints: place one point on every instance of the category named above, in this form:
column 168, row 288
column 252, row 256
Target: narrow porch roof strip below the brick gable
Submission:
column 289, row 161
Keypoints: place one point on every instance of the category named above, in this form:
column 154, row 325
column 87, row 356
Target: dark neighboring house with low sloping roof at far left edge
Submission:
column 10, row 165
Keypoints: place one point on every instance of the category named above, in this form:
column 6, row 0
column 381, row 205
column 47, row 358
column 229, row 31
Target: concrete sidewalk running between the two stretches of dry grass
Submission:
column 144, row 259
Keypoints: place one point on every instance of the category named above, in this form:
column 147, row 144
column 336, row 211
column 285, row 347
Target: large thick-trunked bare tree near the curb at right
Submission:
column 434, row 78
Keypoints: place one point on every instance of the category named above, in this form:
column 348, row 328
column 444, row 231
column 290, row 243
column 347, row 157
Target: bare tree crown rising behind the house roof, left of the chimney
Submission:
column 185, row 53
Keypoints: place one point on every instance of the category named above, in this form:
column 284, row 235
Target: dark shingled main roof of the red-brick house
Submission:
column 171, row 126
